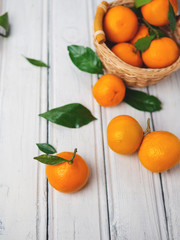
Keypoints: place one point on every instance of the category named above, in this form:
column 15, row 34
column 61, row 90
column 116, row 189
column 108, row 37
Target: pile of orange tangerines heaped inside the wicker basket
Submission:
column 122, row 28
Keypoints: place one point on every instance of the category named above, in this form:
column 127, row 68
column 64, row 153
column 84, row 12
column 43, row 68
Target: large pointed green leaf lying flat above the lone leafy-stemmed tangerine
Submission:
column 72, row 115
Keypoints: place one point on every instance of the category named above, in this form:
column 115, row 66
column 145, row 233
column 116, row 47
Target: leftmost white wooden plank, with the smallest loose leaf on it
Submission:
column 22, row 97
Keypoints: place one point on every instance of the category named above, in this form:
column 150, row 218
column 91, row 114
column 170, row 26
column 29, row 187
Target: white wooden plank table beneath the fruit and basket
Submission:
column 122, row 200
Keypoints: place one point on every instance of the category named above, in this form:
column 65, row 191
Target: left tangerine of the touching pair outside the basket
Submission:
column 124, row 134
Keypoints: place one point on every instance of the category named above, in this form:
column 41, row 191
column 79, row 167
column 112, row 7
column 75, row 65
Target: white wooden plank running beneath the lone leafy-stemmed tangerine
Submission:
column 82, row 215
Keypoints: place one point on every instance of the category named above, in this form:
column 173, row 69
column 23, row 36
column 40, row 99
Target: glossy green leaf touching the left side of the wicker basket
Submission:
column 85, row 59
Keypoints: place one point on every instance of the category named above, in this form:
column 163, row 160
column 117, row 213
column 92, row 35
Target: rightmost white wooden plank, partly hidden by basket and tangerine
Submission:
column 167, row 119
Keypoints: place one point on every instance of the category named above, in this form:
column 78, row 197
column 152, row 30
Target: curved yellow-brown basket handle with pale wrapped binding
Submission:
column 98, row 22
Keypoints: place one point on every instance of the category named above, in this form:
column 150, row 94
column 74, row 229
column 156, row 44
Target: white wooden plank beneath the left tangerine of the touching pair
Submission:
column 134, row 194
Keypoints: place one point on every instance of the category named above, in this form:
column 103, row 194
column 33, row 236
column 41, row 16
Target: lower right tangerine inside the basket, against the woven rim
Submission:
column 162, row 53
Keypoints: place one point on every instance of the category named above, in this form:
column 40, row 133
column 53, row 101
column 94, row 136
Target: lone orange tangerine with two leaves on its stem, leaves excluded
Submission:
column 68, row 178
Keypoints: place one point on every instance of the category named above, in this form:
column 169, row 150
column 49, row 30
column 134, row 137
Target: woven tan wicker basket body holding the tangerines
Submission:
column 133, row 76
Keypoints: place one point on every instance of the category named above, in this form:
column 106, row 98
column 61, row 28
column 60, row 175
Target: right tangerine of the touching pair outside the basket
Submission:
column 159, row 151
